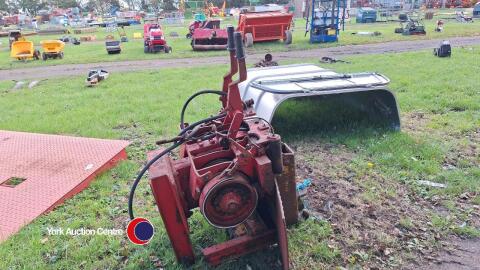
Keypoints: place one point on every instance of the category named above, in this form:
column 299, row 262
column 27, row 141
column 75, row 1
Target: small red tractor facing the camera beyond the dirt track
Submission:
column 154, row 39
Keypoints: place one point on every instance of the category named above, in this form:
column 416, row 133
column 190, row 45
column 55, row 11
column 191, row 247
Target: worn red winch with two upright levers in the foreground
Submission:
column 234, row 168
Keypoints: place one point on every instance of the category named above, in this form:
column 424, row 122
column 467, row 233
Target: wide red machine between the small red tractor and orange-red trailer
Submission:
column 208, row 35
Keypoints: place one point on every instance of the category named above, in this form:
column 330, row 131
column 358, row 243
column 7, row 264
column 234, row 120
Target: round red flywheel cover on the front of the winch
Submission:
column 227, row 202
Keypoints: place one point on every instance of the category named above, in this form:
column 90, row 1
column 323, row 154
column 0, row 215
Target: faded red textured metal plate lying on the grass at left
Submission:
column 54, row 168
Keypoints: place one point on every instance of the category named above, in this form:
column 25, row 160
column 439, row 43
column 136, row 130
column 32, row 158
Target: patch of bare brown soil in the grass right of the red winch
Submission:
column 377, row 223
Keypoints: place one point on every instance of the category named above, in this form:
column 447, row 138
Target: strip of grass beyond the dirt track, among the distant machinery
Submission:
column 93, row 52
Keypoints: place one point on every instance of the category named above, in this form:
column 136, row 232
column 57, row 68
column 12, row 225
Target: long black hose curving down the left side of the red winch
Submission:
column 164, row 152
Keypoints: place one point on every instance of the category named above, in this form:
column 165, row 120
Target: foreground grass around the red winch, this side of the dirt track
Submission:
column 441, row 118
